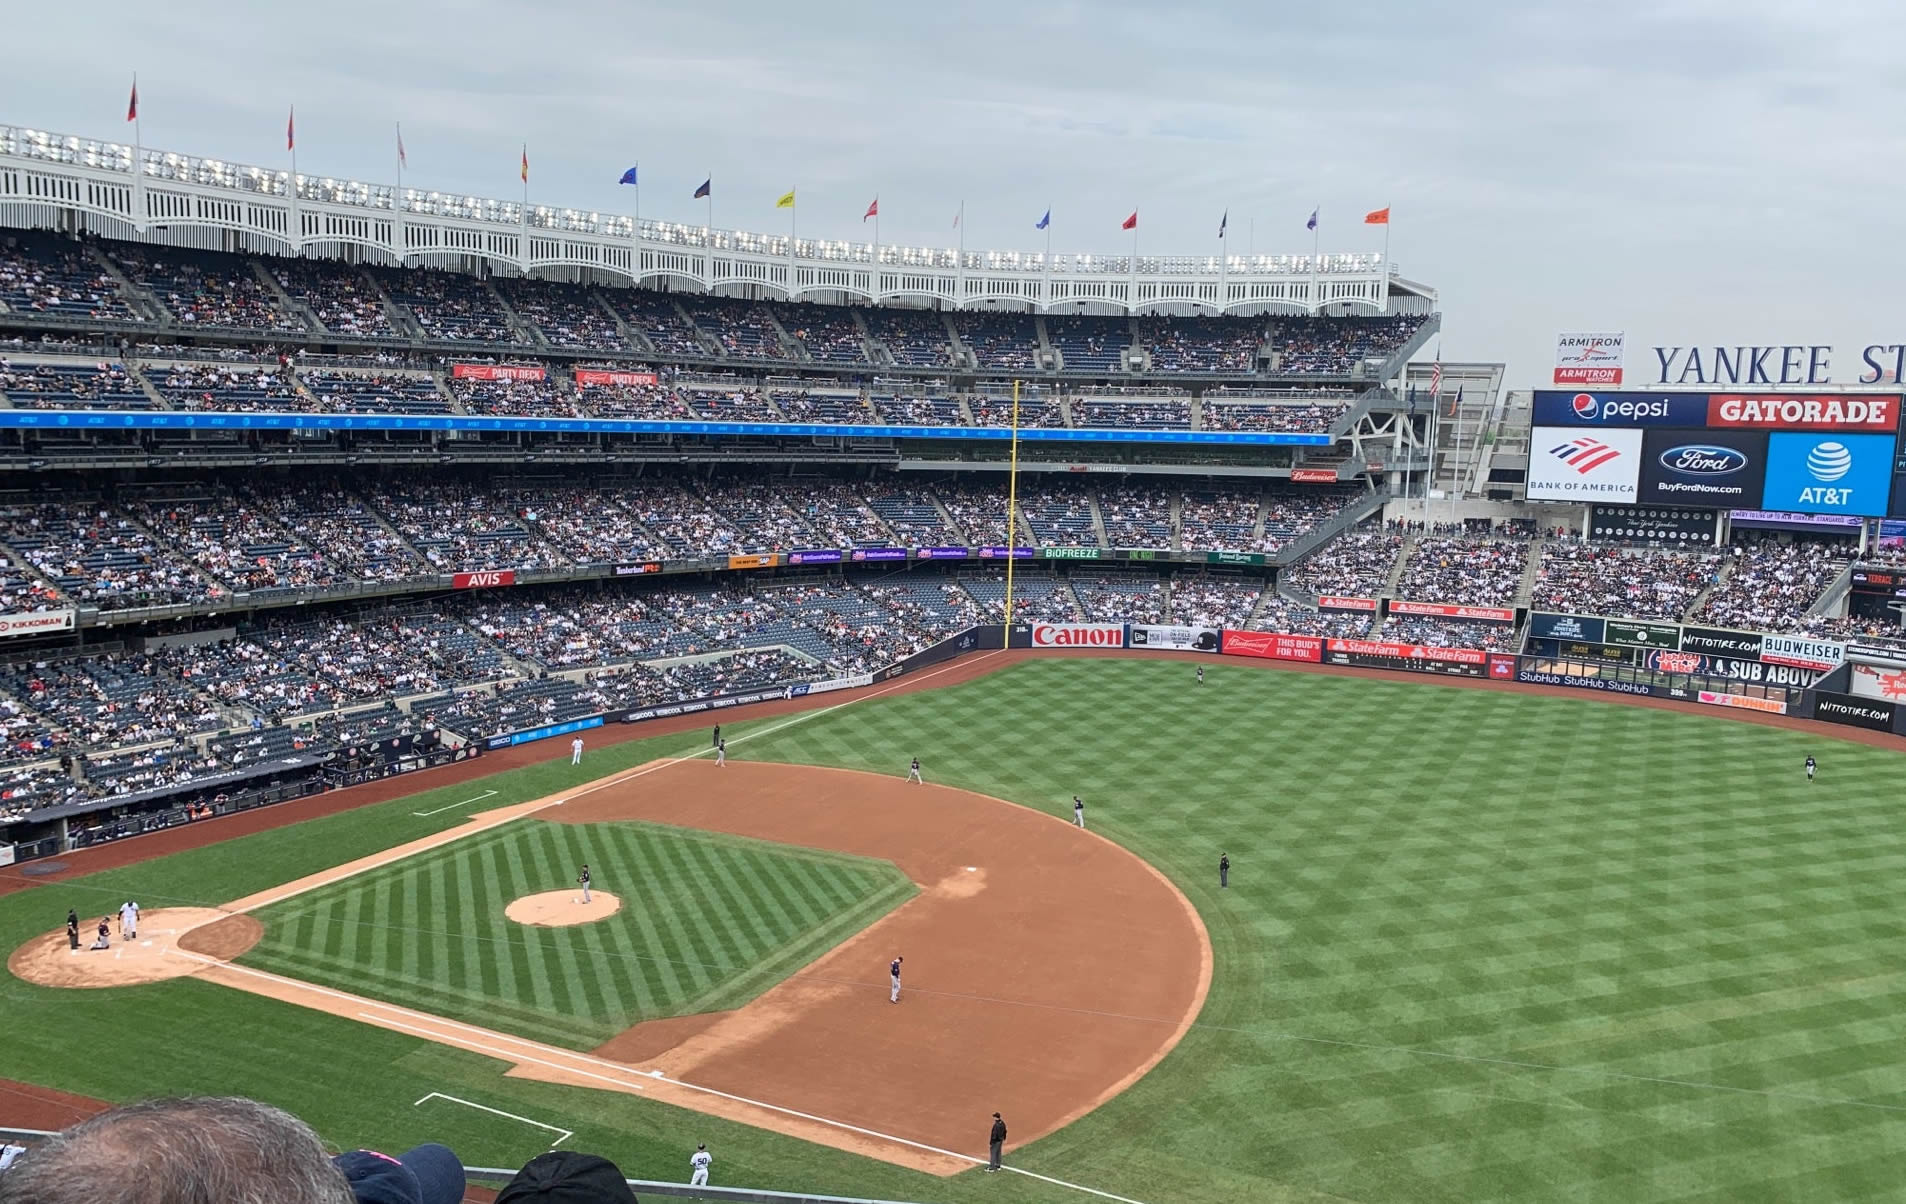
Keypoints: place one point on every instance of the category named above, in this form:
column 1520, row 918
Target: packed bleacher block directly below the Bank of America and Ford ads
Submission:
column 1636, row 584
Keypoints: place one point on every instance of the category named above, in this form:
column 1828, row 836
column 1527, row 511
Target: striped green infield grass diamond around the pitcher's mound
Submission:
column 706, row 923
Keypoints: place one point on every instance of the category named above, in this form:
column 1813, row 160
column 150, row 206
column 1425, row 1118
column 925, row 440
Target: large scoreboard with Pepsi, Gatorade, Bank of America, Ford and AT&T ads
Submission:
column 1808, row 454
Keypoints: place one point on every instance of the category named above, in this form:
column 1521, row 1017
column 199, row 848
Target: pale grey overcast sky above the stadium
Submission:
column 1684, row 171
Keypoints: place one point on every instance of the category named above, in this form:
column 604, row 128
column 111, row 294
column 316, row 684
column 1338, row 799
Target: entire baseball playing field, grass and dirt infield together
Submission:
column 1478, row 946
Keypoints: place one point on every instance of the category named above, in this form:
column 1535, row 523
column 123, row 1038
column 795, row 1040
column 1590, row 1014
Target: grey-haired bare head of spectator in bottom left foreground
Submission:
column 180, row 1152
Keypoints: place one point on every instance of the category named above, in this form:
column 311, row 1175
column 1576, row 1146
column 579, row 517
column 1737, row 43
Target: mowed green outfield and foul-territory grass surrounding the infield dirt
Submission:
column 1478, row 948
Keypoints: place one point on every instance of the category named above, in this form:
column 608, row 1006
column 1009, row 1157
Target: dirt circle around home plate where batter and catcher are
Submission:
column 165, row 948
